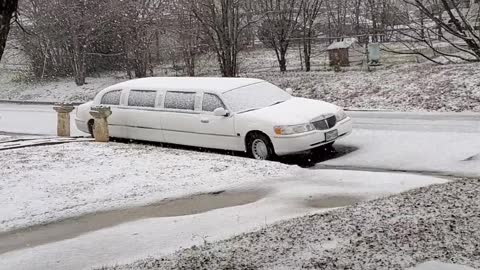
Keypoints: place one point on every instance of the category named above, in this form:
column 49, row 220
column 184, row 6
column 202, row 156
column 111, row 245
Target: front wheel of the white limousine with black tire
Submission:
column 260, row 147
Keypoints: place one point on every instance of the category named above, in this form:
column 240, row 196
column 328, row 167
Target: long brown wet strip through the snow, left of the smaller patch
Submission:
column 73, row 227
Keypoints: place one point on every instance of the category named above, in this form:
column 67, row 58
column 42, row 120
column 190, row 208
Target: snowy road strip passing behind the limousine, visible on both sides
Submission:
column 41, row 119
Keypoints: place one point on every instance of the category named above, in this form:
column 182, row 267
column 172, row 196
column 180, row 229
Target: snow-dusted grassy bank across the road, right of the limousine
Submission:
column 420, row 87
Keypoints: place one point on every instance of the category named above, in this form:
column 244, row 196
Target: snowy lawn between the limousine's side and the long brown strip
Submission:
column 44, row 184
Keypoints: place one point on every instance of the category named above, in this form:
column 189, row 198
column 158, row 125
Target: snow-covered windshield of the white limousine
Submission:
column 255, row 96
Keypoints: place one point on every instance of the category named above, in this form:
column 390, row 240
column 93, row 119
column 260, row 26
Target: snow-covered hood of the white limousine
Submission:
column 294, row 111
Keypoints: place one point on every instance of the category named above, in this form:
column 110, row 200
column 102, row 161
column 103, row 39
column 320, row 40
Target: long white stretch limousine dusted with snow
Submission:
column 237, row 114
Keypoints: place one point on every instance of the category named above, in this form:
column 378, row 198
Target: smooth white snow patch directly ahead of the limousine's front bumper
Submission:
column 437, row 152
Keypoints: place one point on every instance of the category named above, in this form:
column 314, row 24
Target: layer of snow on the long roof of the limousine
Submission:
column 219, row 85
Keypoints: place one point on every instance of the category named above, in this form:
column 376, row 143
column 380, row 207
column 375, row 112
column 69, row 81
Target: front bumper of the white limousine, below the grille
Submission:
column 302, row 142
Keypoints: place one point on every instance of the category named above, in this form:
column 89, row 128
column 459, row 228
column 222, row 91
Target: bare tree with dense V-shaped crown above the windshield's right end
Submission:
column 280, row 26
